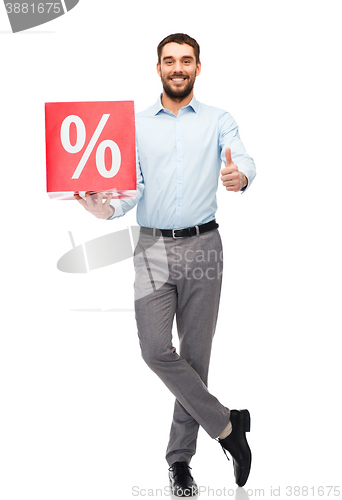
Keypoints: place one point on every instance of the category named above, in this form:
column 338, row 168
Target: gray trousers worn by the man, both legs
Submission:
column 181, row 277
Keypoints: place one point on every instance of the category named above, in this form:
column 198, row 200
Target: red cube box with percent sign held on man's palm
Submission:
column 90, row 146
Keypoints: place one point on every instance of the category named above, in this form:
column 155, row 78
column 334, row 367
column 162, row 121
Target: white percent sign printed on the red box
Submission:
column 80, row 142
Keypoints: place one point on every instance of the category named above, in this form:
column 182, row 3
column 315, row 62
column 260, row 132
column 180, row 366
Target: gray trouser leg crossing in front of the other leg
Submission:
column 154, row 315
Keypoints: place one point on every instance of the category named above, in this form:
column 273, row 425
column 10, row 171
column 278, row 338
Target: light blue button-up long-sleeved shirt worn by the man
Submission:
column 179, row 159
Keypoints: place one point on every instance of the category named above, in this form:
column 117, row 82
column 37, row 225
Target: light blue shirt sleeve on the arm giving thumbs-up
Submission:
column 229, row 137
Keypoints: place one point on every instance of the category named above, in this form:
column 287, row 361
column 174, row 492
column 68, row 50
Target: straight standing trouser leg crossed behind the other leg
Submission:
column 197, row 310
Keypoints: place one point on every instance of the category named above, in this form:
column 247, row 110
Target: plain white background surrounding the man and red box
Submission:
column 82, row 416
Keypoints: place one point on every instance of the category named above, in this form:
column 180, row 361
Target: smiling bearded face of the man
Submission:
column 178, row 69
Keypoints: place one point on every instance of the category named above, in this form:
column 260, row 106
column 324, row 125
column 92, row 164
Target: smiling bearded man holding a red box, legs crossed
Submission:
column 181, row 144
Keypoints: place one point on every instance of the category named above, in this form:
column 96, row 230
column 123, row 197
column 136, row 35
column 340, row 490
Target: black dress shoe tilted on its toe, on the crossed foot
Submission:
column 236, row 444
